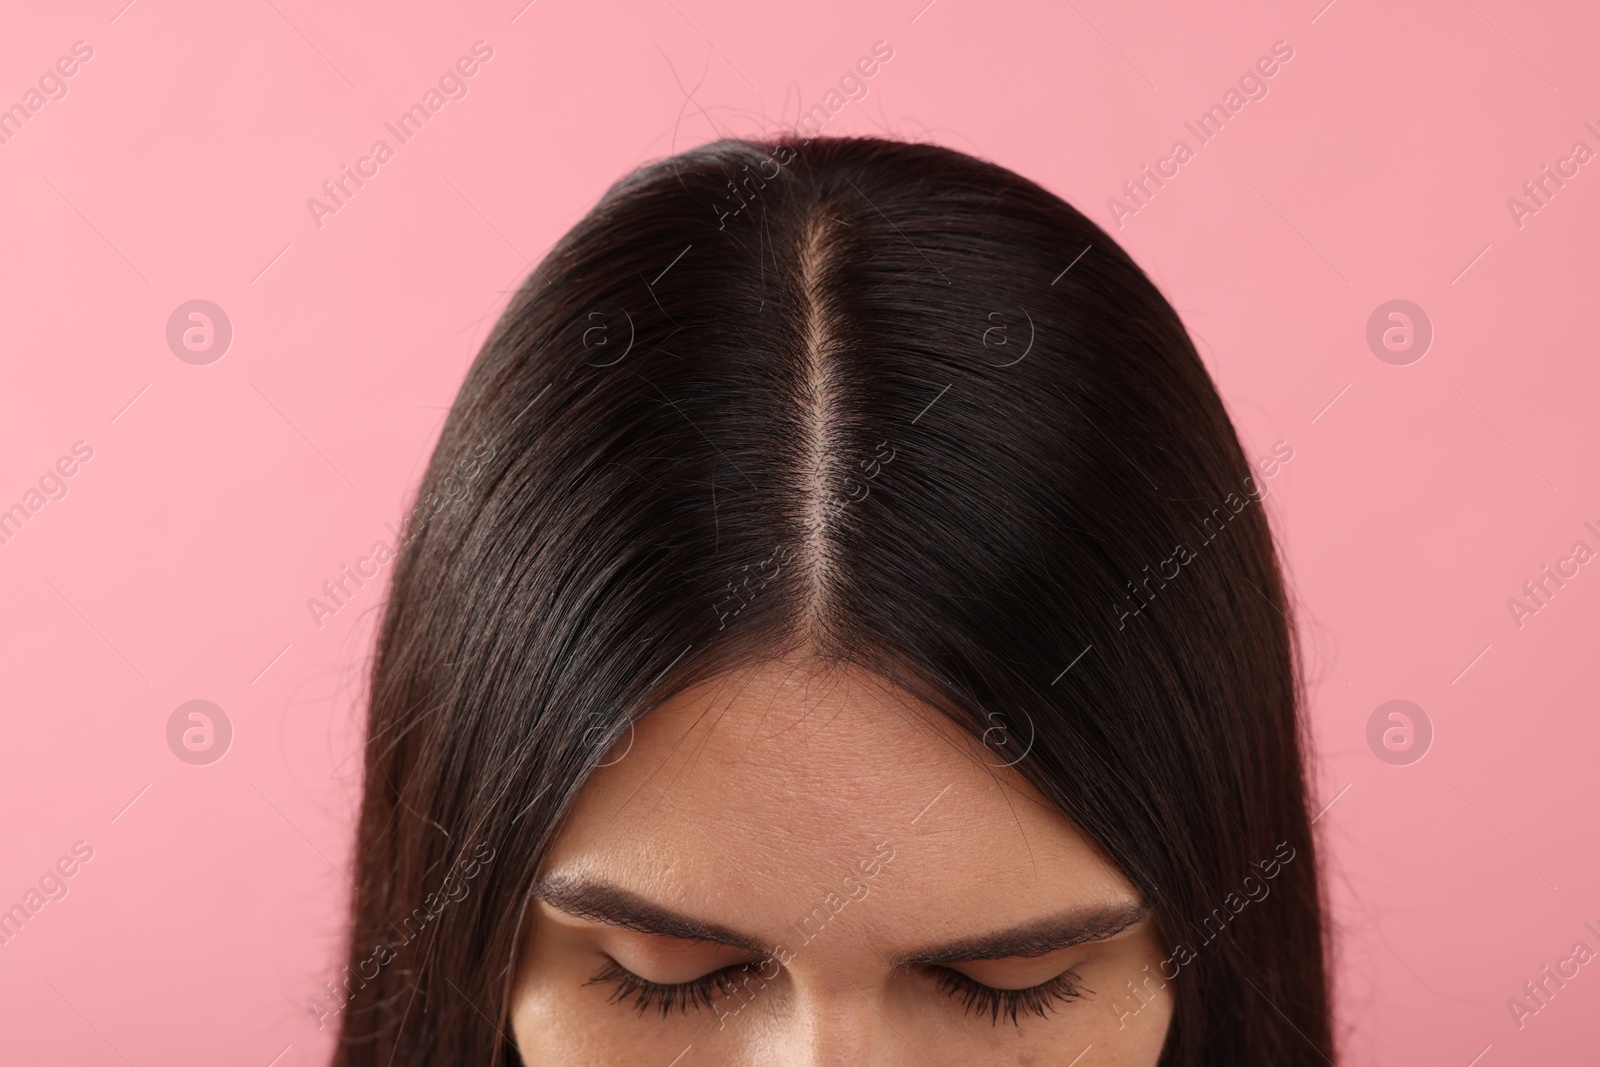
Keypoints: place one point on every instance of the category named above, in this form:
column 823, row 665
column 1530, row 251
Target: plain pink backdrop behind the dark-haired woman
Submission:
column 217, row 503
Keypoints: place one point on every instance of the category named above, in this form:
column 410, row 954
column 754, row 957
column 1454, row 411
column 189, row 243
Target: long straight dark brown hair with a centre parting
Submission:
column 886, row 406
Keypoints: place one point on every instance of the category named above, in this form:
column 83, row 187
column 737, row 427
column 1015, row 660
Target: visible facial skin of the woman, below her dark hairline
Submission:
column 783, row 794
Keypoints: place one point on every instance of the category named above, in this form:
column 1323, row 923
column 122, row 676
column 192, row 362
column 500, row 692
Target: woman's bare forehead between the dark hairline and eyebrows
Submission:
column 762, row 791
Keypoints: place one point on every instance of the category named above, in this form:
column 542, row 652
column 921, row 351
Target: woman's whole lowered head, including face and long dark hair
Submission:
column 842, row 583
